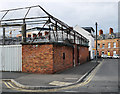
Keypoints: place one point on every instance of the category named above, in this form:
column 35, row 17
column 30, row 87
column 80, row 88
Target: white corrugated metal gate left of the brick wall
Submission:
column 10, row 58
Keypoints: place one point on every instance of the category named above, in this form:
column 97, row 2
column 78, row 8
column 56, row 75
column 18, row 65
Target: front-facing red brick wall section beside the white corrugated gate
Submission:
column 37, row 58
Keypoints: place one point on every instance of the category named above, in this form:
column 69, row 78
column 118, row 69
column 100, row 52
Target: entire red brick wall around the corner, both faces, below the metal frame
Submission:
column 51, row 58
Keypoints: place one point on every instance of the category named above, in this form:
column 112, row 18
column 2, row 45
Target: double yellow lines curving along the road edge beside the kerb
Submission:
column 10, row 86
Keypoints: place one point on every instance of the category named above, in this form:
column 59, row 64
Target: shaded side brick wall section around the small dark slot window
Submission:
column 59, row 62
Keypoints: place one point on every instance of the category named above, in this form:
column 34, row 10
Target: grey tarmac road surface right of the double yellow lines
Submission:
column 104, row 80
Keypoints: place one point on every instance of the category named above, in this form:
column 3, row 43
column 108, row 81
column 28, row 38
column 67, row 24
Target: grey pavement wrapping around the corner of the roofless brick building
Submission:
column 66, row 77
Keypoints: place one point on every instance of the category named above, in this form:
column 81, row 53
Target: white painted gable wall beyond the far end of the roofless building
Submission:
column 87, row 35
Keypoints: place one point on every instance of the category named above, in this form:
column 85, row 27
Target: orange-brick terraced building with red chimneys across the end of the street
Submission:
column 108, row 44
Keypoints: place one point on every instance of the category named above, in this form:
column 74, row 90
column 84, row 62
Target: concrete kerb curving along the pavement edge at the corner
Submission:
column 50, row 87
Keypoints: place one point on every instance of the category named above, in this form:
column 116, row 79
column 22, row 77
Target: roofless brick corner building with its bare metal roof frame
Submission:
column 52, row 45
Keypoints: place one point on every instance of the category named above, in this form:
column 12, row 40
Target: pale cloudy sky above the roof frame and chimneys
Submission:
column 75, row 12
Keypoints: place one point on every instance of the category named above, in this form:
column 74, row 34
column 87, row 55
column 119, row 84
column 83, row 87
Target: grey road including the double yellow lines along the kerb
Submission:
column 104, row 78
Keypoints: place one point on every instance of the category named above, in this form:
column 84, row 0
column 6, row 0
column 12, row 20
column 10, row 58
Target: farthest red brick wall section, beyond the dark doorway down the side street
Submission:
column 83, row 54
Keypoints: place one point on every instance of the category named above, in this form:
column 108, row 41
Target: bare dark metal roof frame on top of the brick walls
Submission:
column 59, row 29
